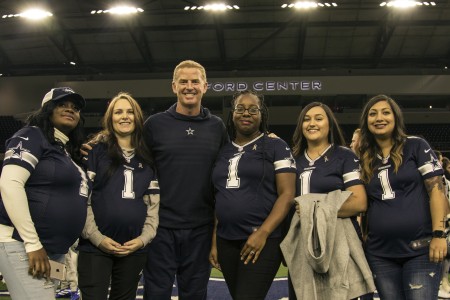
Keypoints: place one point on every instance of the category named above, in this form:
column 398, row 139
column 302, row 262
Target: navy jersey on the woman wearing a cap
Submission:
column 56, row 190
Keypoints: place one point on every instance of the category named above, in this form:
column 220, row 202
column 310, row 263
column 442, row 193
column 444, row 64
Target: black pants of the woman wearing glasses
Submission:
column 251, row 281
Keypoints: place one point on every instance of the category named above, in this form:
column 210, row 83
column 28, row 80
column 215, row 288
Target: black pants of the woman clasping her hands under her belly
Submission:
column 97, row 270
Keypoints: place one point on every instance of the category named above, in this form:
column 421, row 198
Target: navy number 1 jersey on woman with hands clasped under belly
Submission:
column 117, row 200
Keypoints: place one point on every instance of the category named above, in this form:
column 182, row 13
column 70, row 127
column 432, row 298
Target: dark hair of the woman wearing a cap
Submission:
column 41, row 119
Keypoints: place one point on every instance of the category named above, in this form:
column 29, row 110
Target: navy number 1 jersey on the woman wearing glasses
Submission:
column 245, row 184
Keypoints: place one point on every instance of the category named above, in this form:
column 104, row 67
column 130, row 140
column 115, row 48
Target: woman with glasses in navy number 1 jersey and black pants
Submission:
column 254, row 180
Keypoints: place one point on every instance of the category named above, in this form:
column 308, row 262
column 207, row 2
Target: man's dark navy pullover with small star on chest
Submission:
column 185, row 149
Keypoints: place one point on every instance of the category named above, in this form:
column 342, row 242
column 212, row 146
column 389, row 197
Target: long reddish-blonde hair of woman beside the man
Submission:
column 107, row 135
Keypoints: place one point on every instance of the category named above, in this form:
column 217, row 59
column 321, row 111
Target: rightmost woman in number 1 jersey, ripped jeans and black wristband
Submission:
column 406, row 203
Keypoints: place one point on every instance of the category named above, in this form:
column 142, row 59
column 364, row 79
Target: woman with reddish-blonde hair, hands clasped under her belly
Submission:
column 123, row 206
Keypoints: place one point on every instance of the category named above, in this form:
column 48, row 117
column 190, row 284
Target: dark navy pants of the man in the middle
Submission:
column 183, row 252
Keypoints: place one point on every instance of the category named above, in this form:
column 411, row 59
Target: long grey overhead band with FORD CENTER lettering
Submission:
column 295, row 85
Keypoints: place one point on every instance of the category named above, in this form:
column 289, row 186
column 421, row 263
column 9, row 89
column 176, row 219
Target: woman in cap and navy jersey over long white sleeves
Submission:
column 44, row 195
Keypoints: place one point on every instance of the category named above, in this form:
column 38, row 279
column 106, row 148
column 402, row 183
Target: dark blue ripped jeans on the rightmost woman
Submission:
column 411, row 278
